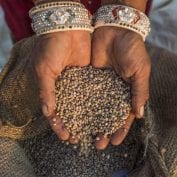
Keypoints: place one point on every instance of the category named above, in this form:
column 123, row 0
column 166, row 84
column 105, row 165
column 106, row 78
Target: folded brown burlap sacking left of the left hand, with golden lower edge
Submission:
column 20, row 112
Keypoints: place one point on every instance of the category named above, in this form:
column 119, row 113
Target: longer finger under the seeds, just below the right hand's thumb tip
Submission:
column 118, row 137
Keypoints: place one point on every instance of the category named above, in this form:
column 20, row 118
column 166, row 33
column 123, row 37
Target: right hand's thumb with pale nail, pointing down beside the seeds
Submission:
column 140, row 91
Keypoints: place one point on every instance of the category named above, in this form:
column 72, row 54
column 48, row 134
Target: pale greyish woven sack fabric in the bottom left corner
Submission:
column 13, row 161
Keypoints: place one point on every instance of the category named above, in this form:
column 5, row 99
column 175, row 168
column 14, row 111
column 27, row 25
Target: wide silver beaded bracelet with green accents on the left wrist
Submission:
column 60, row 16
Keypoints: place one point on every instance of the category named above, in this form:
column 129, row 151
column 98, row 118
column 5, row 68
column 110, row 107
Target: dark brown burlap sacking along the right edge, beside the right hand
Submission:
column 161, row 141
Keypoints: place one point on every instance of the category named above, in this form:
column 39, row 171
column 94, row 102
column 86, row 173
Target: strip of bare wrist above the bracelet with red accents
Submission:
column 137, row 4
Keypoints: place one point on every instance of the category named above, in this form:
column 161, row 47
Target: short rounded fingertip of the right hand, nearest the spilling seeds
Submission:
column 101, row 142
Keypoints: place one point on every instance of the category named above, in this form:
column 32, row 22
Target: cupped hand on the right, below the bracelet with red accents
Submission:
column 124, row 51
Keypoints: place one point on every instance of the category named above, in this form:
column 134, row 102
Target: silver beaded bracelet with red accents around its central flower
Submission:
column 124, row 17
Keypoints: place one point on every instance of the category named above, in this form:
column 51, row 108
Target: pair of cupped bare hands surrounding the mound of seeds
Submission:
column 112, row 47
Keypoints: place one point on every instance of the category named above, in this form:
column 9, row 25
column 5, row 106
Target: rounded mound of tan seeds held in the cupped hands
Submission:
column 92, row 101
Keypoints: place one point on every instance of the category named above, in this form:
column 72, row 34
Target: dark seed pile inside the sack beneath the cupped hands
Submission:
column 52, row 158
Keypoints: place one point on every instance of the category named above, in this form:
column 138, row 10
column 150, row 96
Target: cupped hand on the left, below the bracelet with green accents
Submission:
column 53, row 53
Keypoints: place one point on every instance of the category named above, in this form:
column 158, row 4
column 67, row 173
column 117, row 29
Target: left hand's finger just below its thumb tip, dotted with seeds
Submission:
column 59, row 128
